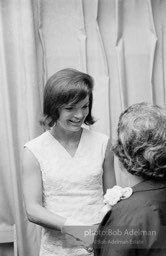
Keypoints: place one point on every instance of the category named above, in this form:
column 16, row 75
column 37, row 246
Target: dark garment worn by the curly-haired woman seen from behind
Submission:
column 135, row 226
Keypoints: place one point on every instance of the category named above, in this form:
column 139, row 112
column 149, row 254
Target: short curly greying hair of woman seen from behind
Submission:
column 141, row 143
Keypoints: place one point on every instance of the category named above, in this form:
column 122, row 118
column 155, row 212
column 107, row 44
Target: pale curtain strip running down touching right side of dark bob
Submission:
column 97, row 67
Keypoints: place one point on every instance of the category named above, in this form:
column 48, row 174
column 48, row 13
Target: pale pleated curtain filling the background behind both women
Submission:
column 120, row 43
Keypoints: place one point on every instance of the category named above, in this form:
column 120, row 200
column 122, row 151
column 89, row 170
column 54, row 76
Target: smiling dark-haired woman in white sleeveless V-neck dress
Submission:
column 67, row 167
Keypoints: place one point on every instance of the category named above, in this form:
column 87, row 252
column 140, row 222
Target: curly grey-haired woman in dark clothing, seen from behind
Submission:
column 137, row 226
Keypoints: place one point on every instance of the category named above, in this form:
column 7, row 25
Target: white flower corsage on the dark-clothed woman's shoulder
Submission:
column 114, row 195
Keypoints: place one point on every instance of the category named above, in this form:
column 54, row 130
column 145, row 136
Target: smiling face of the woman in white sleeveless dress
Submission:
column 72, row 116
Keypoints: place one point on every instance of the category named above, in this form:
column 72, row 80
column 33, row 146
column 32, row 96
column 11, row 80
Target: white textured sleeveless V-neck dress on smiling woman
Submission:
column 72, row 186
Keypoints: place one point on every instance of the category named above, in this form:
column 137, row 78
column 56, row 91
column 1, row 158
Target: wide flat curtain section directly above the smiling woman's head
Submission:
column 64, row 35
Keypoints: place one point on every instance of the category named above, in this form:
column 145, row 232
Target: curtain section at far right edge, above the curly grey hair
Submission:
column 158, row 10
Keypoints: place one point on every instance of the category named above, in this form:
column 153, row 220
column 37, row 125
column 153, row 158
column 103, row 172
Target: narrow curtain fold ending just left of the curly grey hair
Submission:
column 107, row 25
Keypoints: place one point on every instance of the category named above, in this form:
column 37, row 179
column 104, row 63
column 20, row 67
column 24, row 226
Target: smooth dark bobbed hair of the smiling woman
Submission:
column 67, row 86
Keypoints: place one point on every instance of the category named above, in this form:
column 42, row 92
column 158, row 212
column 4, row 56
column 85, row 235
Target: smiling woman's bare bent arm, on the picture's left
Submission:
column 32, row 189
